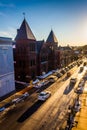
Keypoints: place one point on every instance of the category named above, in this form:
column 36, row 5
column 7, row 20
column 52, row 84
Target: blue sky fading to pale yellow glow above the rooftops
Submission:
column 67, row 18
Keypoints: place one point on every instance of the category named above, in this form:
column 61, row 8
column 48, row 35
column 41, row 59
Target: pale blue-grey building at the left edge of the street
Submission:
column 7, row 84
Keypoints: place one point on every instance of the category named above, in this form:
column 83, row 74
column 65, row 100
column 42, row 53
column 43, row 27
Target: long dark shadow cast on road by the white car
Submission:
column 30, row 111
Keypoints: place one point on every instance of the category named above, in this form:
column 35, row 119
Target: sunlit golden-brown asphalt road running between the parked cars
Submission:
column 35, row 115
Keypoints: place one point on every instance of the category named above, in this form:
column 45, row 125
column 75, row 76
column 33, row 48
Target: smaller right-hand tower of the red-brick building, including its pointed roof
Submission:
column 53, row 55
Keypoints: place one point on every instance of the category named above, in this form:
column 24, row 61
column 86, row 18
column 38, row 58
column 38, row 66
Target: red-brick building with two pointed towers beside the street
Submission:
column 33, row 57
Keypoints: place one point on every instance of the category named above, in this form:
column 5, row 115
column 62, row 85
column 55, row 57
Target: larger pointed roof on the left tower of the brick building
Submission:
column 25, row 32
